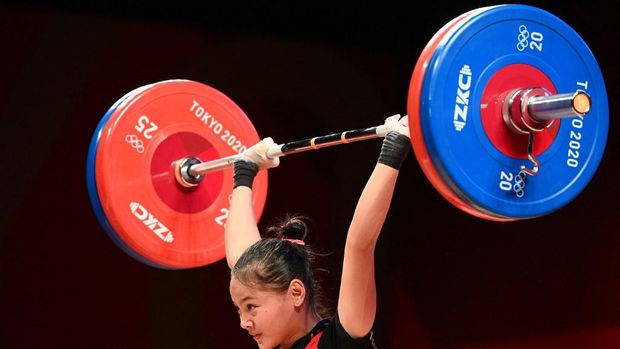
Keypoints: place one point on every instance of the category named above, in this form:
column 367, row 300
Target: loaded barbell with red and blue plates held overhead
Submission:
column 508, row 116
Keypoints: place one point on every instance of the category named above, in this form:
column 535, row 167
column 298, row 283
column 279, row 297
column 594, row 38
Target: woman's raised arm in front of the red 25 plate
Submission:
column 241, row 230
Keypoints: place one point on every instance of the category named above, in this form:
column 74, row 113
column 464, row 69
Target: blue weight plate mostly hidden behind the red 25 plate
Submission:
column 91, row 178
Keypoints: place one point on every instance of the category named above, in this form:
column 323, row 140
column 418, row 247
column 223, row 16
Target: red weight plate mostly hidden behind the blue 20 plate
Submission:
column 413, row 109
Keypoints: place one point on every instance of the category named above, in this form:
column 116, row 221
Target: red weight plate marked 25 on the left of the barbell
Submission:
column 165, row 223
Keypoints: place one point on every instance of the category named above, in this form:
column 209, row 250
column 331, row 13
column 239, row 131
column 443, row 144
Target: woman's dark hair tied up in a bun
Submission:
column 273, row 262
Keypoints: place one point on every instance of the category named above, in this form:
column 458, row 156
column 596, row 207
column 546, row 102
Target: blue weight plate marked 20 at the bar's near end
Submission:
column 463, row 154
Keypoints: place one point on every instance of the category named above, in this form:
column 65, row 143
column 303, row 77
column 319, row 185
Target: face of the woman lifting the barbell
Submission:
column 267, row 315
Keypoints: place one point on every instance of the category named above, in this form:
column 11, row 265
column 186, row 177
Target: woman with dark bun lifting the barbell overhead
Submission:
column 272, row 280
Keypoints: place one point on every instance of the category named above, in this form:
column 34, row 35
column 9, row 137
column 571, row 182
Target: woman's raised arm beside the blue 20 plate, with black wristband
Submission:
column 357, row 300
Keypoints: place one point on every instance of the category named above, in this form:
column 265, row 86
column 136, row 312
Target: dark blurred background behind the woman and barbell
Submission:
column 298, row 69
